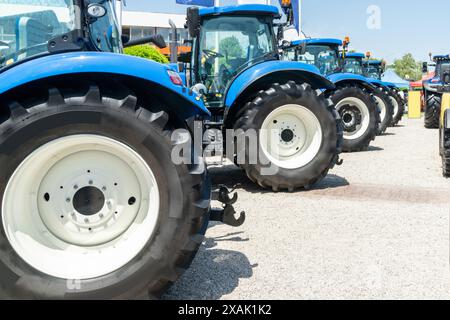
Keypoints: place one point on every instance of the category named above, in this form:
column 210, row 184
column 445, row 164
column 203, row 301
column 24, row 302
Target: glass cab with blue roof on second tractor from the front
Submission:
column 227, row 41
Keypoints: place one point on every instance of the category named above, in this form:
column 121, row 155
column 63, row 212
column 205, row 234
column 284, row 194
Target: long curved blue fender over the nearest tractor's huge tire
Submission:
column 151, row 72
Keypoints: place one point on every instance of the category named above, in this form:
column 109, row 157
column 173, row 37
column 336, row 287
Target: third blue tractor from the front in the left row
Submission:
column 352, row 96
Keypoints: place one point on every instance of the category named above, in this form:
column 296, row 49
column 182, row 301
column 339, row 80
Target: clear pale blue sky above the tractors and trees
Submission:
column 405, row 25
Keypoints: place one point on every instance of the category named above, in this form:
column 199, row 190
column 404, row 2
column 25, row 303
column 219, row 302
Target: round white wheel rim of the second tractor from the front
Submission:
column 291, row 136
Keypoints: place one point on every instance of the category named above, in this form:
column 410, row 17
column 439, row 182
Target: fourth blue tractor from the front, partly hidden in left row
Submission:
column 354, row 63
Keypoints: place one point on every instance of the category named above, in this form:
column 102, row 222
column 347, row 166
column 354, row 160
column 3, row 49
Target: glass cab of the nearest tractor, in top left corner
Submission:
column 31, row 28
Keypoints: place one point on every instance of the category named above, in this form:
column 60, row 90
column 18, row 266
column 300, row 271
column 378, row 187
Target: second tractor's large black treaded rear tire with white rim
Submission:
column 316, row 109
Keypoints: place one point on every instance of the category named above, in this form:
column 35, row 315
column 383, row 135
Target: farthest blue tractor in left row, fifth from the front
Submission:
column 375, row 69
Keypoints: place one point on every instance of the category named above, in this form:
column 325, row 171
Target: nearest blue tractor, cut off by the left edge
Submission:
column 94, row 204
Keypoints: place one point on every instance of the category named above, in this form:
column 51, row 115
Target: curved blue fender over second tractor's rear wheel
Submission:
column 255, row 77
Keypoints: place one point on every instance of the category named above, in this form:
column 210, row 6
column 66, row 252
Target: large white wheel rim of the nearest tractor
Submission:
column 51, row 230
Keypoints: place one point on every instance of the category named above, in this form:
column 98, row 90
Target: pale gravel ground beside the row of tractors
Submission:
column 376, row 228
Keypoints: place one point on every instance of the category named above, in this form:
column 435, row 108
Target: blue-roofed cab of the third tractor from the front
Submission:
column 322, row 53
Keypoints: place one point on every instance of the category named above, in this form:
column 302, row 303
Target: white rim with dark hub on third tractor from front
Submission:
column 349, row 108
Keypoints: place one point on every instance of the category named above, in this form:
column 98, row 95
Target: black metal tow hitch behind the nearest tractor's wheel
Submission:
column 226, row 214
